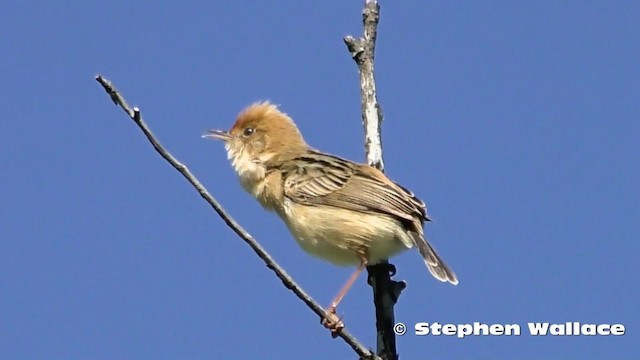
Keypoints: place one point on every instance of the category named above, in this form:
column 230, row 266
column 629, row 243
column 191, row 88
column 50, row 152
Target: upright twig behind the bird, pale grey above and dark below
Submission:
column 385, row 290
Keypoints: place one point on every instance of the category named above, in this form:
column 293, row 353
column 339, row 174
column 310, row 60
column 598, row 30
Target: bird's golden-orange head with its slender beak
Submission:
column 261, row 133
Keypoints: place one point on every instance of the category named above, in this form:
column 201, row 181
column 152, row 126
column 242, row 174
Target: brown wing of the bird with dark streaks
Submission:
column 319, row 179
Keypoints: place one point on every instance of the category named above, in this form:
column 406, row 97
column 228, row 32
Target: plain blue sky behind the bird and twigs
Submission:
column 517, row 122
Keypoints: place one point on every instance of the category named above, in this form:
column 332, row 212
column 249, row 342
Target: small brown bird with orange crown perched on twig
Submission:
column 337, row 210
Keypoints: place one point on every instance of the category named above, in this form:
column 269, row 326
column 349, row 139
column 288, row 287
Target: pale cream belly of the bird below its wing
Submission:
column 341, row 237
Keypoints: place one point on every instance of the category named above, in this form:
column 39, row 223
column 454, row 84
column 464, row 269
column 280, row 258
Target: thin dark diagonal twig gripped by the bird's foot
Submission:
column 134, row 113
